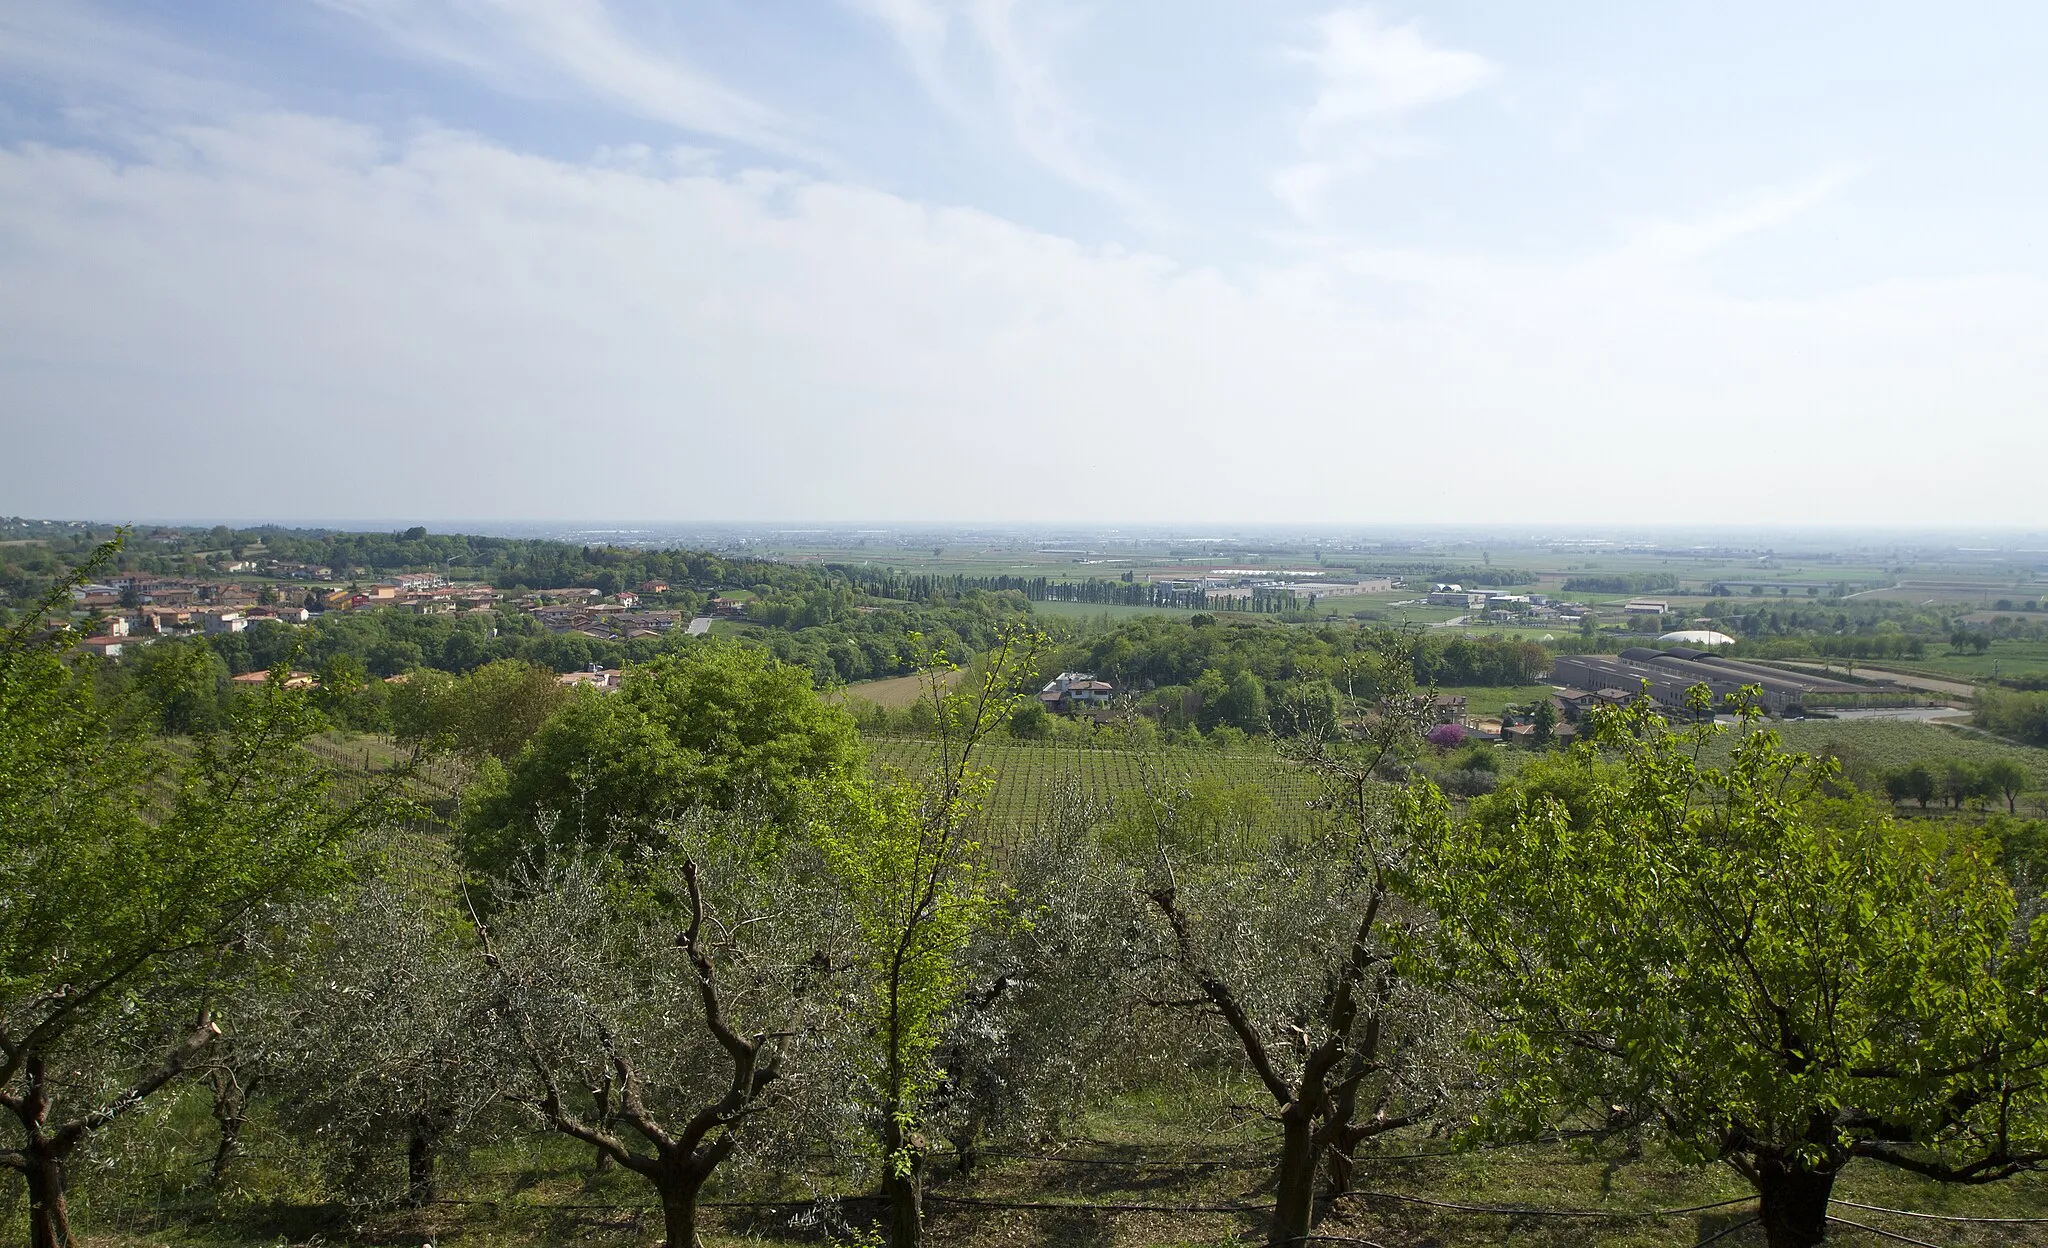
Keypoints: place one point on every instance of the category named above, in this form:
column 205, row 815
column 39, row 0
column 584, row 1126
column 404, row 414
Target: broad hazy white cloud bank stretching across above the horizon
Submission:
column 296, row 317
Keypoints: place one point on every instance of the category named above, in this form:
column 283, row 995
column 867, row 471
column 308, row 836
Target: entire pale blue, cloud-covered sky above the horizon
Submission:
column 1025, row 261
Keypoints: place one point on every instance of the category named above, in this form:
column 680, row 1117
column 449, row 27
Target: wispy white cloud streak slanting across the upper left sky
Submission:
column 538, row 46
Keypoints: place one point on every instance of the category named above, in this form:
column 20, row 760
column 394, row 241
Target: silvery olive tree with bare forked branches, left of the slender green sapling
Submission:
column 658, row 1009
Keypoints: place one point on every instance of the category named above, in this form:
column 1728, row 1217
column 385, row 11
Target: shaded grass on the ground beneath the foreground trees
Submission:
column 1172, row 1145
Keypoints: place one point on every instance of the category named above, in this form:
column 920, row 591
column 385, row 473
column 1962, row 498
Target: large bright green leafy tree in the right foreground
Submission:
column 1775, row 979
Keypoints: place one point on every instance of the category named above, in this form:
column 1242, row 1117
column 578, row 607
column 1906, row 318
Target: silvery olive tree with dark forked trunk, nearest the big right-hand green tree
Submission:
column 1295, row 950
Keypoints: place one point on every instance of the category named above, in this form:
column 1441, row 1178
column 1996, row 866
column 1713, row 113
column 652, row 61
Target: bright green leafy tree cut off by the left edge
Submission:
column 126, row 907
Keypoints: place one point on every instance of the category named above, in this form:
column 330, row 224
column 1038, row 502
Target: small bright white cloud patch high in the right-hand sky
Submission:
column 1369, row 79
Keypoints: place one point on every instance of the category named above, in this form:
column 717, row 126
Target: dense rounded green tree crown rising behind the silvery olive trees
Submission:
column 716, row 726
